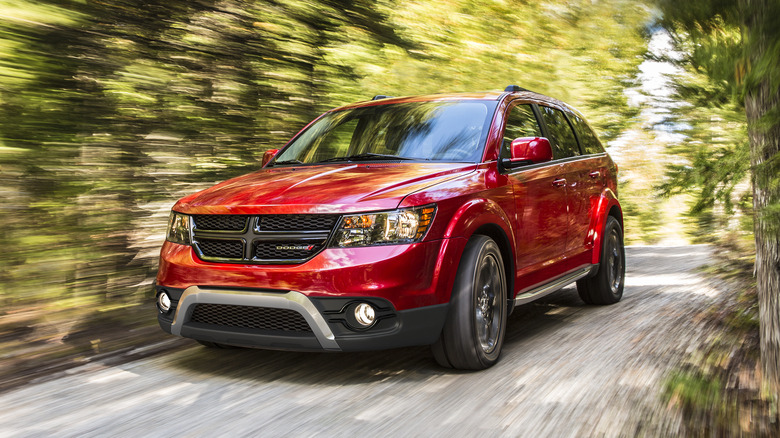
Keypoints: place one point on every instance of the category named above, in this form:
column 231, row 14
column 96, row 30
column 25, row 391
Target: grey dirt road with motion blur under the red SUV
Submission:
column 568, row 370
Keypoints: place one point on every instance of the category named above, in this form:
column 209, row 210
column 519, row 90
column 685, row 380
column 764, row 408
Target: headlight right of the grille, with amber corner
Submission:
column 387, row 228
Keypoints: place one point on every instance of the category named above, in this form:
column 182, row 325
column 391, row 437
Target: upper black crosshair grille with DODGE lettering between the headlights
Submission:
column 272, row 238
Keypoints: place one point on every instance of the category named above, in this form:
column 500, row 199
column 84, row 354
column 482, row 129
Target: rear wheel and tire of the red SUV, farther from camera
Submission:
column 606, row 286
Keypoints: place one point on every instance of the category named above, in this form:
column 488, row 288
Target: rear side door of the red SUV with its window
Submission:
column 575, row 175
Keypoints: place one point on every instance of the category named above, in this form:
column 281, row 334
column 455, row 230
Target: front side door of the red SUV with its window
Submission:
column 540, row 200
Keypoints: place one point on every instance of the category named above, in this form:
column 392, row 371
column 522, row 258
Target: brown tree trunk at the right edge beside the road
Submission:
column 764, row 132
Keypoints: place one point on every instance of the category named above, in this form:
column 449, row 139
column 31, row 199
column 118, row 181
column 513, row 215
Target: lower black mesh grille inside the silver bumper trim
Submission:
column 264, row 318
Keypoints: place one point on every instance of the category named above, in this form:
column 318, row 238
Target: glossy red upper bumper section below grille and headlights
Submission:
column 408, row 276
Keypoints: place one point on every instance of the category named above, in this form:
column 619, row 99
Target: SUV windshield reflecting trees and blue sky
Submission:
column 435, row 131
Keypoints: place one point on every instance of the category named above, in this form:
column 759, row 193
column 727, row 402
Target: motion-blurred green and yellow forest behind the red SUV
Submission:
column 111, row 110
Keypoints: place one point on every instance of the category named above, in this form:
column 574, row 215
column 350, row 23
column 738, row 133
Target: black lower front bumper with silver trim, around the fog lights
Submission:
column 328, row 325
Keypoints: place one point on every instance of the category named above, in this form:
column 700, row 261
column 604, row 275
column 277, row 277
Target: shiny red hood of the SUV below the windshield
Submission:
column 336, row 188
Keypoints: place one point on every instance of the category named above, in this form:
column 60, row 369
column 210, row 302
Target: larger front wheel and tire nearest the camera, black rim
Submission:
column 474, row 331
